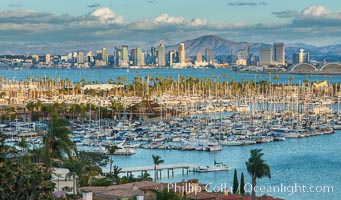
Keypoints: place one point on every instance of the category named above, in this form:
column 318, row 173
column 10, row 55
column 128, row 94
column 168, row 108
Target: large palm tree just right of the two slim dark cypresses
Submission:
column 257, row 168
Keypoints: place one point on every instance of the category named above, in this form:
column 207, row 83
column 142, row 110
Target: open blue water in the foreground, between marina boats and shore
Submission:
column 313, row 163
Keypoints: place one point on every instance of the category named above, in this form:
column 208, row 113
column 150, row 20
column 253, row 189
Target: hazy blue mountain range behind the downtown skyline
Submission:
column 220, row 45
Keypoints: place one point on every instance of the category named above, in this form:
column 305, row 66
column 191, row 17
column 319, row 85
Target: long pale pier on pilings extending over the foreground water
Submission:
column 159, row 168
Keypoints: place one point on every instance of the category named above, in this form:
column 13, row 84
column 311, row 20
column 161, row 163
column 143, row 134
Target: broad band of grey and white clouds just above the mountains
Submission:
column 103, row 24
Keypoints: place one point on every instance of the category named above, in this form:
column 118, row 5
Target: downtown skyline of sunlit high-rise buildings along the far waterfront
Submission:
column 124, row 57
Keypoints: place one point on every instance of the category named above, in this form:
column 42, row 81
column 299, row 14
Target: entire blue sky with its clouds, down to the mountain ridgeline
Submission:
column 134, row 22
